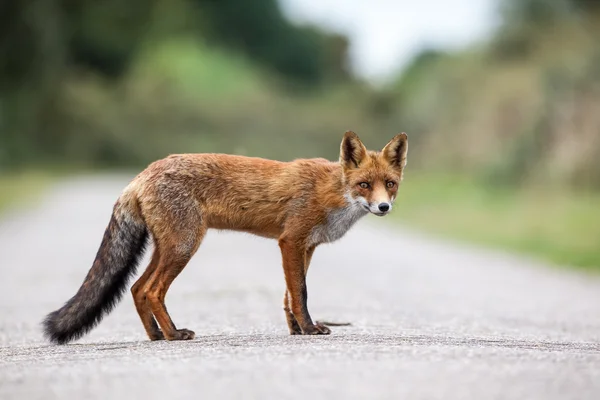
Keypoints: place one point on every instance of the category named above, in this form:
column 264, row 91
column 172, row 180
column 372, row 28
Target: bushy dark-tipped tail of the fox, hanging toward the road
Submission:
column 122, row 247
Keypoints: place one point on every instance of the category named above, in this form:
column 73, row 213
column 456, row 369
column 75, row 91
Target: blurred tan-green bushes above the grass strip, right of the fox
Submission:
column 520, row 110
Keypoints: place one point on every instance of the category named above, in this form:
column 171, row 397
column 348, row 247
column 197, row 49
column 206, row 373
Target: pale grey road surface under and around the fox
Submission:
column 430, row 320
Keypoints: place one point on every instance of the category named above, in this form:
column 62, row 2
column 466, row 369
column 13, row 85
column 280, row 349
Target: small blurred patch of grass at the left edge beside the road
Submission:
column 22, row 188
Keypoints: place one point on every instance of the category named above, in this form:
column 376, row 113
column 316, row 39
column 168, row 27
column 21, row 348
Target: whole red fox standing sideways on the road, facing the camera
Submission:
column 302, row 204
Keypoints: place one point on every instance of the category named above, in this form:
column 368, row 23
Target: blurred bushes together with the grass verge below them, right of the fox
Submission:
column 508, row 146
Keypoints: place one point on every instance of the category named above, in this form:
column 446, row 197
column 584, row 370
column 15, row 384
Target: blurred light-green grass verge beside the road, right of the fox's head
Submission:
column 562, row 227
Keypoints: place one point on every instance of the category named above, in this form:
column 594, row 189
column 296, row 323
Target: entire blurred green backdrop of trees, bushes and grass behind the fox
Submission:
column 504, row 132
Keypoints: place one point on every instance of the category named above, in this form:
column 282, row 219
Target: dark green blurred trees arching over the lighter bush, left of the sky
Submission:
column 46, row 46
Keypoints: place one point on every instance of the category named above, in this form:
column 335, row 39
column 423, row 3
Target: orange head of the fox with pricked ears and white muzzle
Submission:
column 372, row 177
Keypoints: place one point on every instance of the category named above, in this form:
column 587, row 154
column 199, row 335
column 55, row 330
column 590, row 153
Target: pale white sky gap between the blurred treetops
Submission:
column 386, row 34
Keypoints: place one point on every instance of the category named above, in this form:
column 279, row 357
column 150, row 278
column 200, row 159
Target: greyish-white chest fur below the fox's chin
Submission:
column 337, row 224
